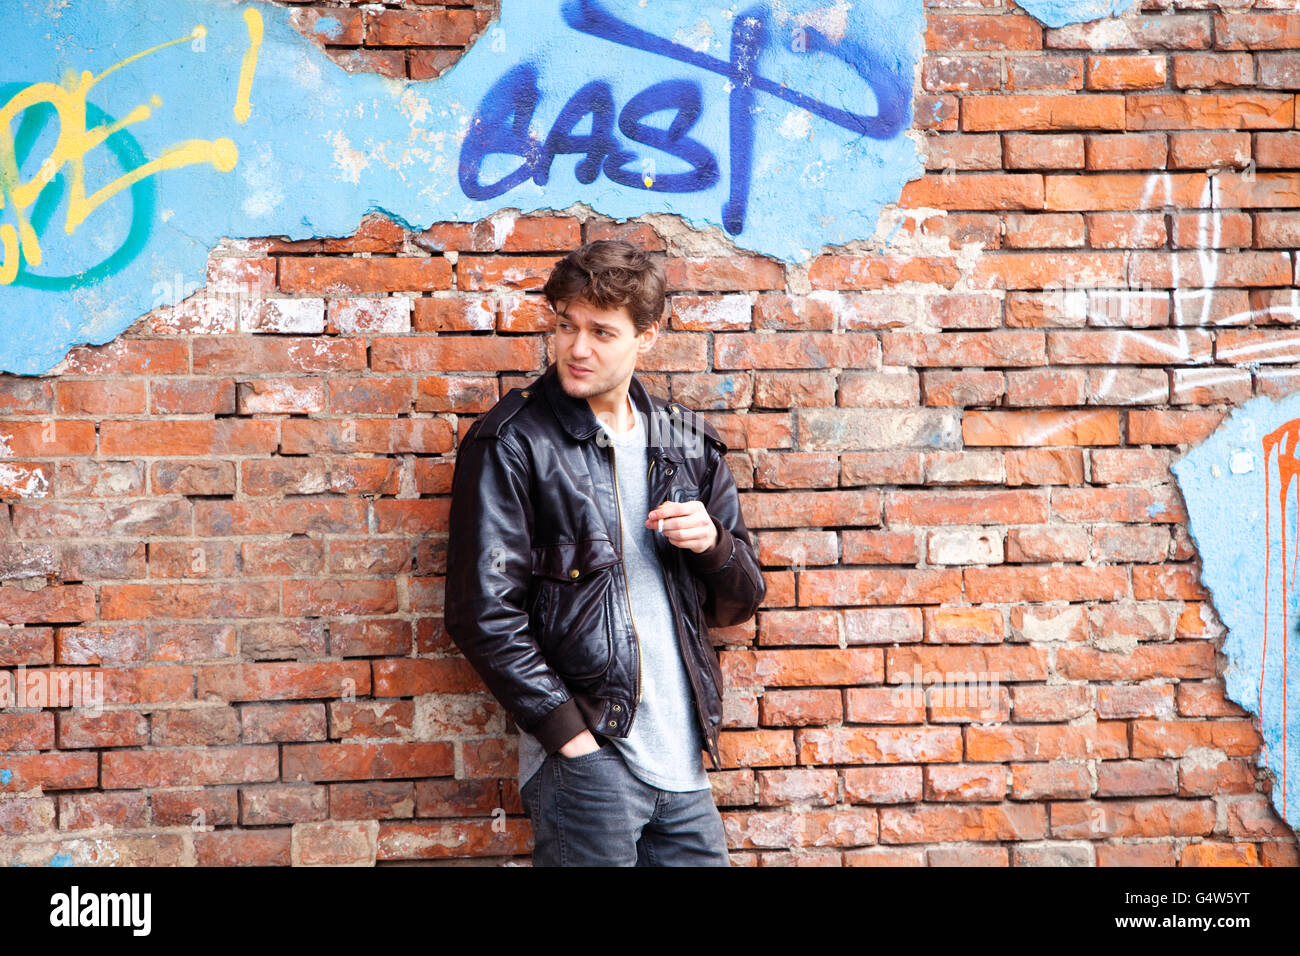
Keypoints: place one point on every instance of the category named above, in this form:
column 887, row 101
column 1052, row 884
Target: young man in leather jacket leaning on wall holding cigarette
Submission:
column 596, row 535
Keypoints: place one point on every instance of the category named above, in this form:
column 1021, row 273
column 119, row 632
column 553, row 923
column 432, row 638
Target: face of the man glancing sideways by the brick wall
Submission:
column 596, row 349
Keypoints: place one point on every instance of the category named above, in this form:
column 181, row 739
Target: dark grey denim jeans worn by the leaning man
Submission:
column 592, row 811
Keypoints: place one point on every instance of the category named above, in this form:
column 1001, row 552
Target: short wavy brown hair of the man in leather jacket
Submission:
column 612, row 274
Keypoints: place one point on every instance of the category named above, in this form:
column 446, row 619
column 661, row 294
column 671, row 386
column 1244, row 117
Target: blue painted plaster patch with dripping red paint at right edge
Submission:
column 1237, row 487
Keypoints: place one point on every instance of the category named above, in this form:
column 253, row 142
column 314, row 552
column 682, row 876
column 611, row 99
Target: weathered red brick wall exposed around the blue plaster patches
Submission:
column 237, row 511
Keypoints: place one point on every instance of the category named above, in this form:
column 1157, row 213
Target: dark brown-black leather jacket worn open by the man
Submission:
column 536, row 589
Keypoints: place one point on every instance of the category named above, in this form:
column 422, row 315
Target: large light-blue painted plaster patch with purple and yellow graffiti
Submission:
column 781, row 123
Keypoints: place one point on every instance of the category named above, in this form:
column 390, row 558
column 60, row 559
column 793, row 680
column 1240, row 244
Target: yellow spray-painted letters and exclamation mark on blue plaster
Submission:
column 76, row 141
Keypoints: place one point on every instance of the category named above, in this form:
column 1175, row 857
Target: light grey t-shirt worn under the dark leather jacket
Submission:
column 665, row 746
